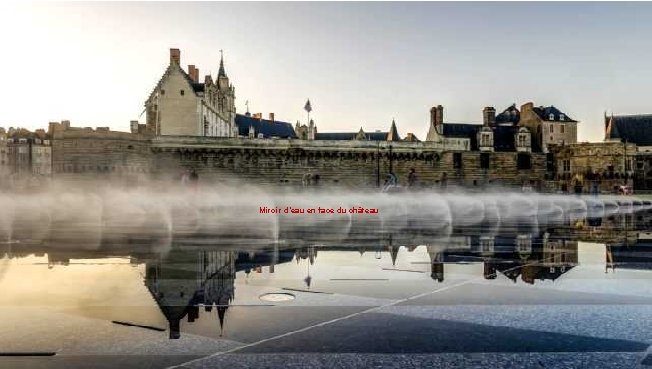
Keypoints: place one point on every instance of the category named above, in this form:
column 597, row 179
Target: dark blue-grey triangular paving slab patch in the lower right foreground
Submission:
column 391, row 333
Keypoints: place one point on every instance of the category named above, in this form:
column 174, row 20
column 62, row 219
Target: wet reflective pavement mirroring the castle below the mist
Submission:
column 573, row 292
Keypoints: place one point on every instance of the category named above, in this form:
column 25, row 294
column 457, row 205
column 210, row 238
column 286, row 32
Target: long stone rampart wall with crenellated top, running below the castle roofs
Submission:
column 339, row 163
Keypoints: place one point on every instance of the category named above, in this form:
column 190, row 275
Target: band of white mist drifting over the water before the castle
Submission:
column 230, row 216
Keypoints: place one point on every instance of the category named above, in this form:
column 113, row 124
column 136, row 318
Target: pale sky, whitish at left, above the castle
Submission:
column 361, row 64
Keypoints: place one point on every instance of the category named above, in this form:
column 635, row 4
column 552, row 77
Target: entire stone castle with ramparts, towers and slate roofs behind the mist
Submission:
column 193, row 125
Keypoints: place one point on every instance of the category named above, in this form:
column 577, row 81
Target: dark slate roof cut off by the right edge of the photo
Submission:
column 632, row 128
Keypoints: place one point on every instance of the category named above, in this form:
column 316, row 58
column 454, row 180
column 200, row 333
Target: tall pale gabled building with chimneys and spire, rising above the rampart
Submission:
column 181, row 105
